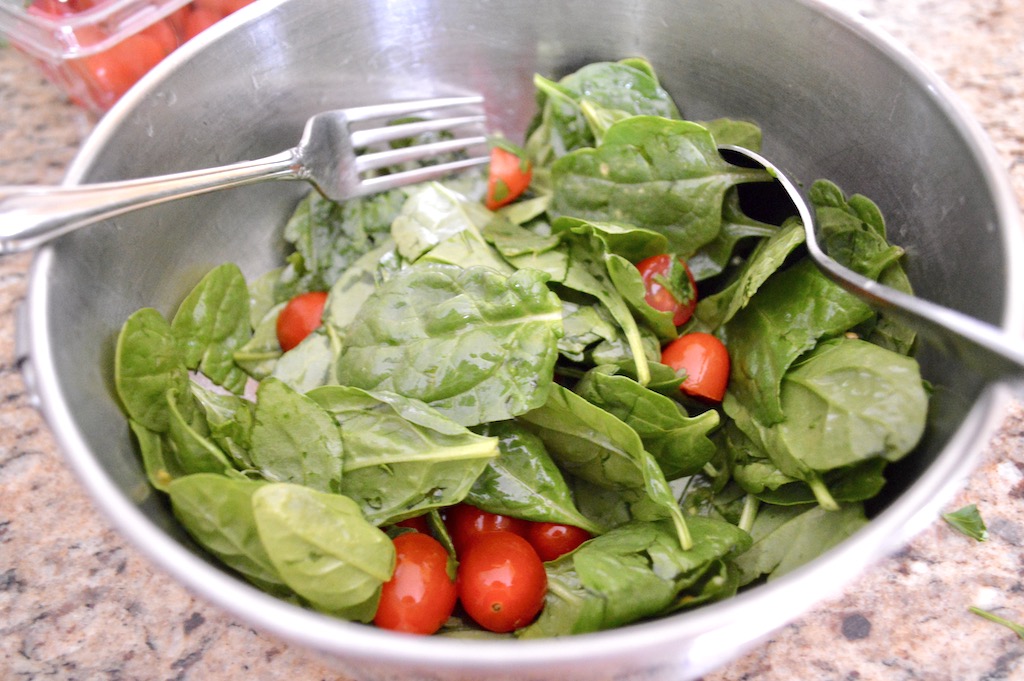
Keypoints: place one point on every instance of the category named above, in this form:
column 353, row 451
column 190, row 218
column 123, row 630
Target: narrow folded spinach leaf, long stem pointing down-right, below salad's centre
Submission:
column 590, row 444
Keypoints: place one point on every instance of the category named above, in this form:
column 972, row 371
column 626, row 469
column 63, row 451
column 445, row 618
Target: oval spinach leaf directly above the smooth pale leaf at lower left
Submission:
column 294, row 440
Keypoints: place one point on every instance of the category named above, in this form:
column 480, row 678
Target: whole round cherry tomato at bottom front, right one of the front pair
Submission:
column 502, row 582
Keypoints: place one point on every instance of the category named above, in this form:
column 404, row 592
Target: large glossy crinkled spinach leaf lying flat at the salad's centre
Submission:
column 474, row 344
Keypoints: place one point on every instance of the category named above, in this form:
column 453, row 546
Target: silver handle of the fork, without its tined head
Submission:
column 32, row 216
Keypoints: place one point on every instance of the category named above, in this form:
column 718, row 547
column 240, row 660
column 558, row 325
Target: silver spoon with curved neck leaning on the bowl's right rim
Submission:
column 986, row 349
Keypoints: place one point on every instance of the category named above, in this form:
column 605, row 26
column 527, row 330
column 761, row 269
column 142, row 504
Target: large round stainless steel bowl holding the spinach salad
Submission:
column 835, row 100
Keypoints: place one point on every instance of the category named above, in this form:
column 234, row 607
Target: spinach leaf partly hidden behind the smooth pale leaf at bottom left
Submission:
column 218, row 513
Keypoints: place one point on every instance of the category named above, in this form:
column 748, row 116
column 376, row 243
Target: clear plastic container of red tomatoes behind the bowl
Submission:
column 95, row 51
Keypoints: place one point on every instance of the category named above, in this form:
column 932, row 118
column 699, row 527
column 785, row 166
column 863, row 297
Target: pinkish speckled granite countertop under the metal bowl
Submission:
column 77, row 603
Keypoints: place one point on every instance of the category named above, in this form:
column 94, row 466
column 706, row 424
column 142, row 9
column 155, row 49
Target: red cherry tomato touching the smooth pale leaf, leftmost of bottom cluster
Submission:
column 420, row 595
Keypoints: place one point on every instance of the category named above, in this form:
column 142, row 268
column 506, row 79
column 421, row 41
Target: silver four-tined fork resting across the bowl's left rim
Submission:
column 331, row 155
